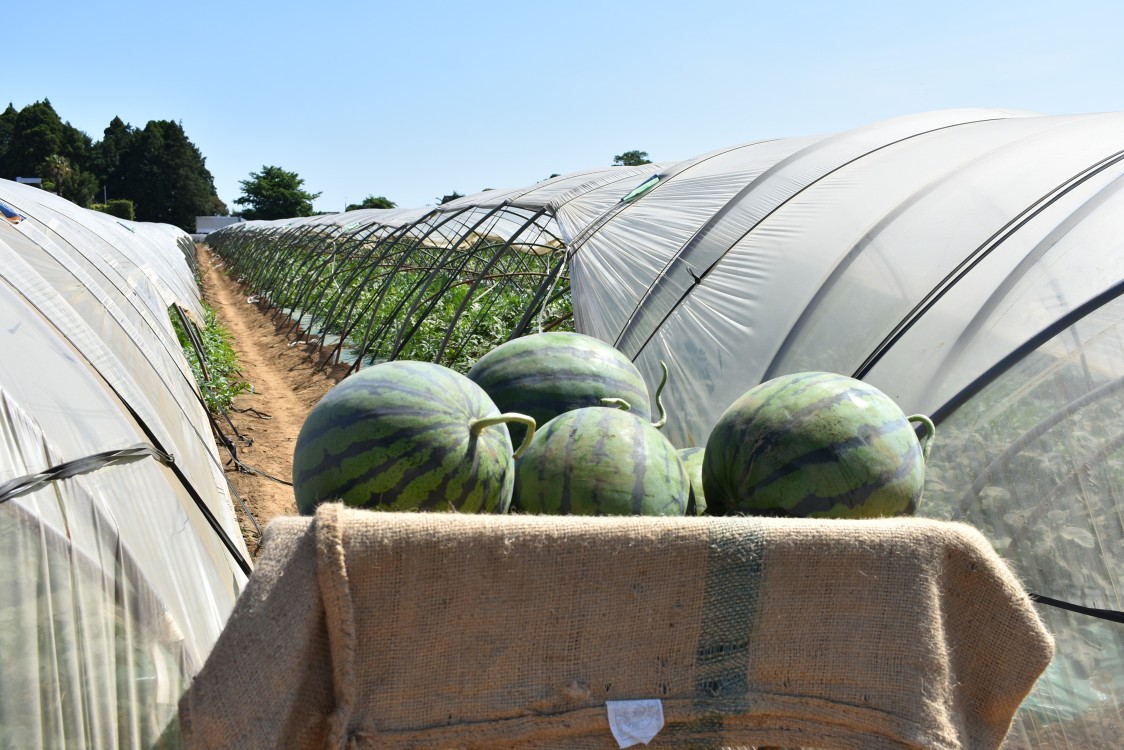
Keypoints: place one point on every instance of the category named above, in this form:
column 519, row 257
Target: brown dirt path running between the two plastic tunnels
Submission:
column 286, row 386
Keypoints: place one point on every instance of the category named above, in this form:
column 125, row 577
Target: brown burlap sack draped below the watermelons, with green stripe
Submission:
column 373, row 630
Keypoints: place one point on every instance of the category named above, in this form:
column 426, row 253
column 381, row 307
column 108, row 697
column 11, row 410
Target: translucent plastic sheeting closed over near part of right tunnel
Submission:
column 967, row 264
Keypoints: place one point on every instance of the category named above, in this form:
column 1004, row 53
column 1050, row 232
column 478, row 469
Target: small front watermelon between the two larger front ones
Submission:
column 599, row 462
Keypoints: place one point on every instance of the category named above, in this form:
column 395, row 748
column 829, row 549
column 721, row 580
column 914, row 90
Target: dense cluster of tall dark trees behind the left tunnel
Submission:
column 153, row 174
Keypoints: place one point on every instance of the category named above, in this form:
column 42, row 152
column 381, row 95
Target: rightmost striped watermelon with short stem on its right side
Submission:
column 815, row 445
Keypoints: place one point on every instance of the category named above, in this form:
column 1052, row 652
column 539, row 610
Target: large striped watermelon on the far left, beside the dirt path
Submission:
column 397, row 437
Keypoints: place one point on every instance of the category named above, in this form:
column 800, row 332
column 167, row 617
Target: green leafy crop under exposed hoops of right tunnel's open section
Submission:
column 366, row 301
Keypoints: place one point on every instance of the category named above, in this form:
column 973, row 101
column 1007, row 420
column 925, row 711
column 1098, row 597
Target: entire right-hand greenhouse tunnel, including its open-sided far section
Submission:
column 966, row 263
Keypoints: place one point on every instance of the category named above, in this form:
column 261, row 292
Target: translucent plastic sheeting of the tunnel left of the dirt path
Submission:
column 119, row 579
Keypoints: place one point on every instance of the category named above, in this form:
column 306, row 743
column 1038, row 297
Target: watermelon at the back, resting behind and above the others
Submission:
column 548, row 374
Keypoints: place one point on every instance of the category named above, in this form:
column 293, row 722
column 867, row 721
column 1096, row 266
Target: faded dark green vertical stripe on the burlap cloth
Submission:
column 736, row 566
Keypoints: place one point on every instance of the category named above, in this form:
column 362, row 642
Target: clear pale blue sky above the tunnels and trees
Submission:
column 414, row 101
